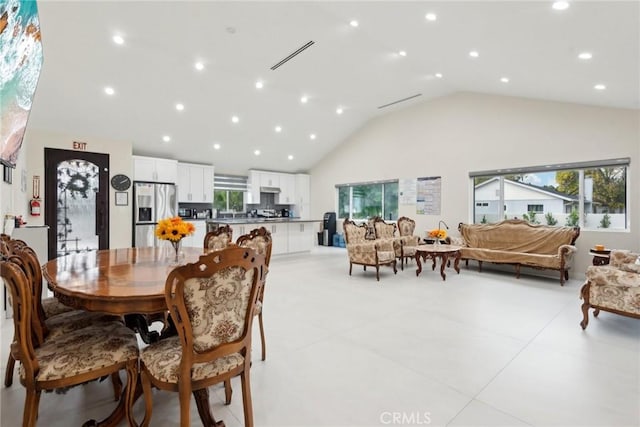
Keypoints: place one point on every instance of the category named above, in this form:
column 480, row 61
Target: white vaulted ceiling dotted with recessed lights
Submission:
column 395, row 57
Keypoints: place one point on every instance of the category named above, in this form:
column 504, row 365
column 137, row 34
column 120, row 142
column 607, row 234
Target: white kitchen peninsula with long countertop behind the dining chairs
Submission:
column 289, row 235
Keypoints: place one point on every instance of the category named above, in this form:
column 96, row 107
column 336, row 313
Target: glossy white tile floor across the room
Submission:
column 481, row 349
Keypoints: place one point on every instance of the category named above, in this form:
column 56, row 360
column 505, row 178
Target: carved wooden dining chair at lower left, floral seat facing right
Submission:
column 69, row 360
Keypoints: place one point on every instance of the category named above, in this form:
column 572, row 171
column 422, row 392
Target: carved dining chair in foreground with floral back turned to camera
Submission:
column 211, row 302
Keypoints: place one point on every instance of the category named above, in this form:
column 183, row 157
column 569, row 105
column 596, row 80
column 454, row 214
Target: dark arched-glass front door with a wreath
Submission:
column 76, row 201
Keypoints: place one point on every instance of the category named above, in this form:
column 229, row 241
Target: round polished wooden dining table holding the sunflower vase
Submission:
column 127, row 282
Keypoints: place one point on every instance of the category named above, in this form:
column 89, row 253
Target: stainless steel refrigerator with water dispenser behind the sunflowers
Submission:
column 151, row 203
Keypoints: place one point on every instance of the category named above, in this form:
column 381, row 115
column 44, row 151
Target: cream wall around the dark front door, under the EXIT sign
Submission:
column 120, row 161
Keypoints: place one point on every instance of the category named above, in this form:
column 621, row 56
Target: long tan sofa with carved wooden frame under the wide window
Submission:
column 519, row 243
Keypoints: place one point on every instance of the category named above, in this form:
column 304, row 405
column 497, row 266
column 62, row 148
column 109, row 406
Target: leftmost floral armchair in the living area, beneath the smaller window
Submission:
column 365, row 252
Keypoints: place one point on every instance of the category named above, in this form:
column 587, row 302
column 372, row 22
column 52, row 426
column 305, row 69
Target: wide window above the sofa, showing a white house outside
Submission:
column 592, row 195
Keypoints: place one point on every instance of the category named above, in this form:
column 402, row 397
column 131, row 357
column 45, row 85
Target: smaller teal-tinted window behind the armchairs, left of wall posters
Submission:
column 363, row 201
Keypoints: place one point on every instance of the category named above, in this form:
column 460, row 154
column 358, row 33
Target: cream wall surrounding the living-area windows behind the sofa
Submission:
column 454, row 135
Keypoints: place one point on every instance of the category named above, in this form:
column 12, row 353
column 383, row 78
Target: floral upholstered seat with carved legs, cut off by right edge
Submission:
column 614, row 288
